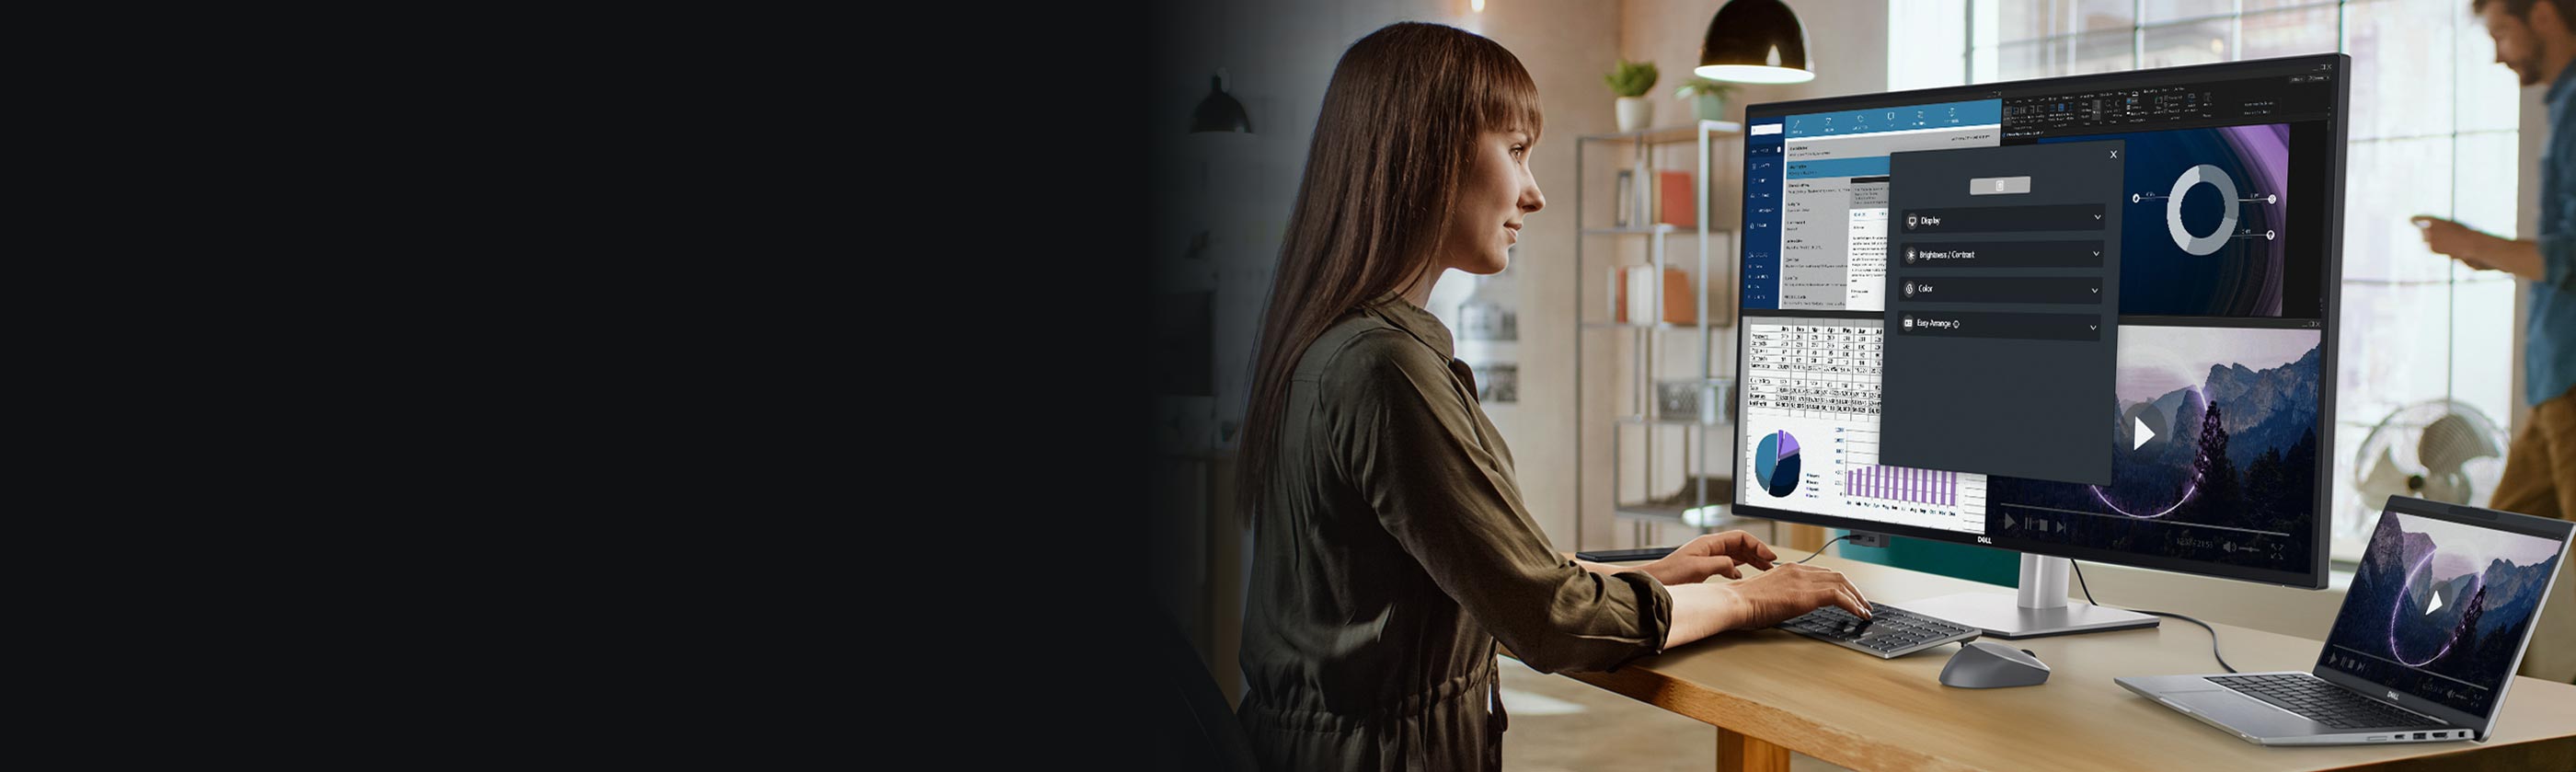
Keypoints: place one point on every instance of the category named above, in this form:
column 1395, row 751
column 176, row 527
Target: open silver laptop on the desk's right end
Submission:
column 2425, row 647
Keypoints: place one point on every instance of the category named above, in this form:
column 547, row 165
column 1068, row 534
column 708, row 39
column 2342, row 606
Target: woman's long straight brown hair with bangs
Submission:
column 1400, row 127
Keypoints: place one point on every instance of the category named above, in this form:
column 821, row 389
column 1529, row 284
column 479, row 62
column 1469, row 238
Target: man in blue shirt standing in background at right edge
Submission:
column 2536, row 40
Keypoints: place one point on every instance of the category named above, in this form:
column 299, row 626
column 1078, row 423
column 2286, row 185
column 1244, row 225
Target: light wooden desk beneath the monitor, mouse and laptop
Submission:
column 1771, row 694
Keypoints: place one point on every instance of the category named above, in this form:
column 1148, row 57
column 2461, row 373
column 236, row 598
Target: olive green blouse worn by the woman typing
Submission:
column 1392, row 549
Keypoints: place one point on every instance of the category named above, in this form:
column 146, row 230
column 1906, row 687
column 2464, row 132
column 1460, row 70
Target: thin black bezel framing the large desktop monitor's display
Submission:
column 2315, row 578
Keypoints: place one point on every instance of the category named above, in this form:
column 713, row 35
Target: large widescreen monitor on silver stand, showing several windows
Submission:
column 2075, row 318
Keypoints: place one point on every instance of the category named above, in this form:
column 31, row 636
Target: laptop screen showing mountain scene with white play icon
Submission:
column 2441, row 609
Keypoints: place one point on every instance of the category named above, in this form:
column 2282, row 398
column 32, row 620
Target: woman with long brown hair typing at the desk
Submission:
column 1392, row 547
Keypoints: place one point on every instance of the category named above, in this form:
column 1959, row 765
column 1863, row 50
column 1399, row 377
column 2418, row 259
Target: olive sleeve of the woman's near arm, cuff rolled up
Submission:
column 1405, row 436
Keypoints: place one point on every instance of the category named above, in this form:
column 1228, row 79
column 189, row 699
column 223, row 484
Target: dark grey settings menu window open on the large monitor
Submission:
column 2003, row 310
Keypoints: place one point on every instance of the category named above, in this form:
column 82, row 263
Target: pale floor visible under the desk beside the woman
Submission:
column 1562, row 724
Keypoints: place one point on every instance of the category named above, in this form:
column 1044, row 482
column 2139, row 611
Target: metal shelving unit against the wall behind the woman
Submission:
column 1701, row 498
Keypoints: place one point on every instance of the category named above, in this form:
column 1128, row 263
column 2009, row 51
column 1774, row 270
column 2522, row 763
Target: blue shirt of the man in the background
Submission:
column 2549, row 351
